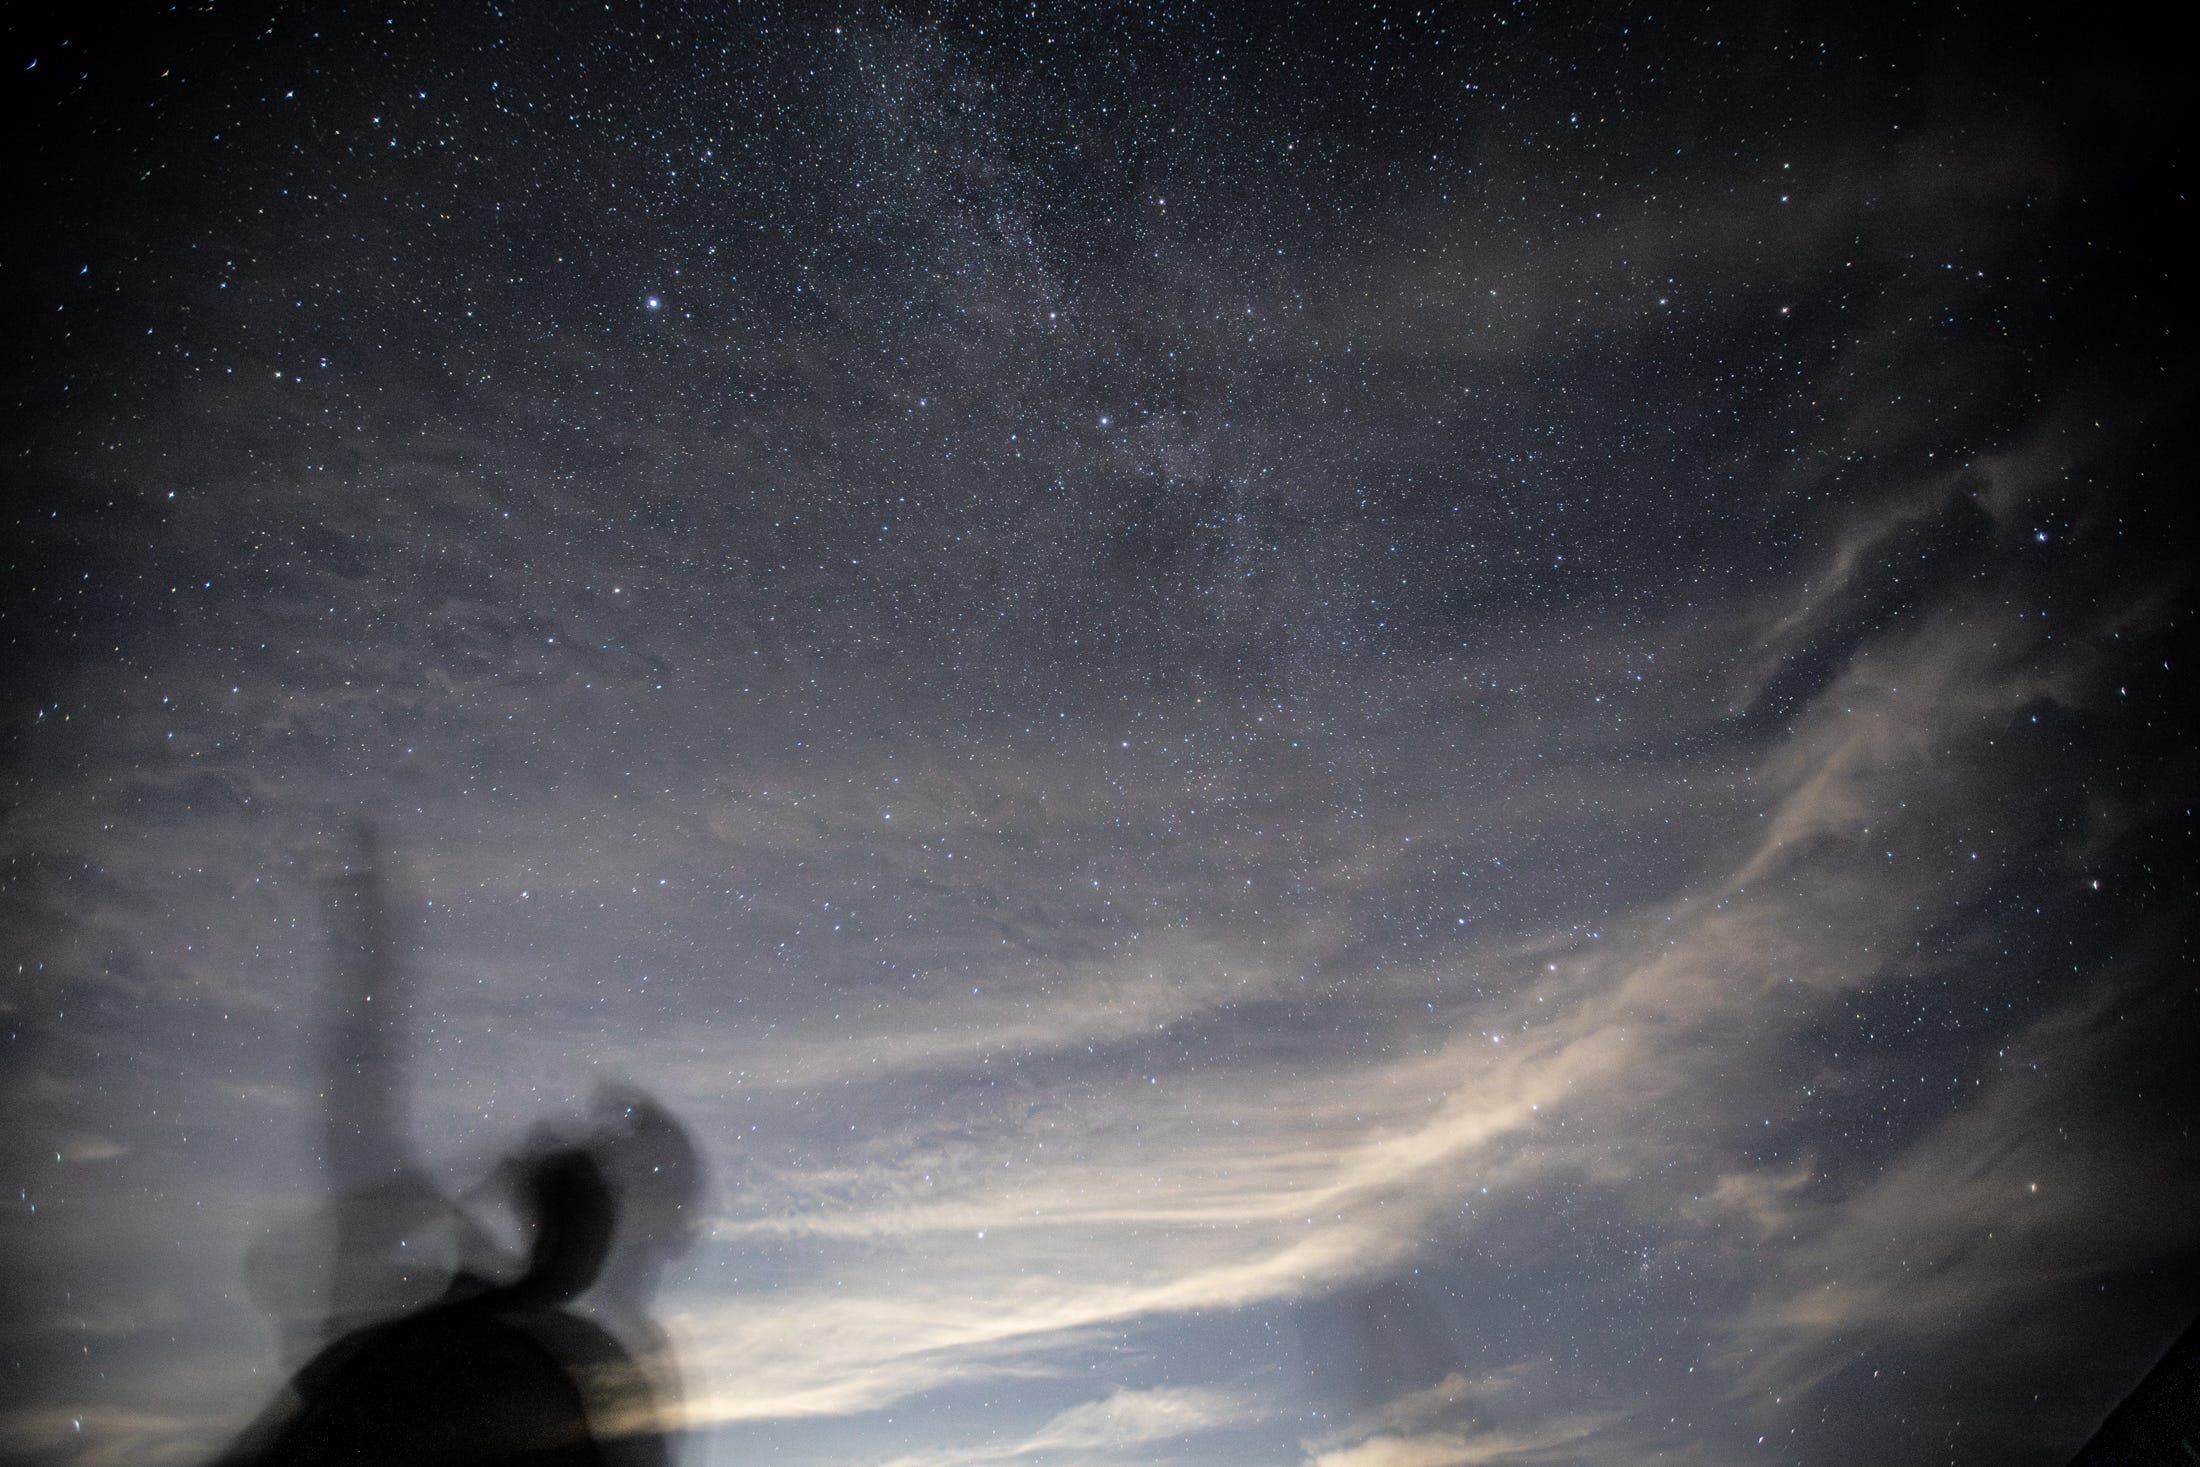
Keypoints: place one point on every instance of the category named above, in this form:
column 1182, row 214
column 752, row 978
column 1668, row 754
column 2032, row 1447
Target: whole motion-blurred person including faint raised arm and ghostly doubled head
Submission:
column 432, row 1343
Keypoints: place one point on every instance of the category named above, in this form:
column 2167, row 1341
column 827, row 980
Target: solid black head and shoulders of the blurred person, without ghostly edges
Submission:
column 492, row 1376
